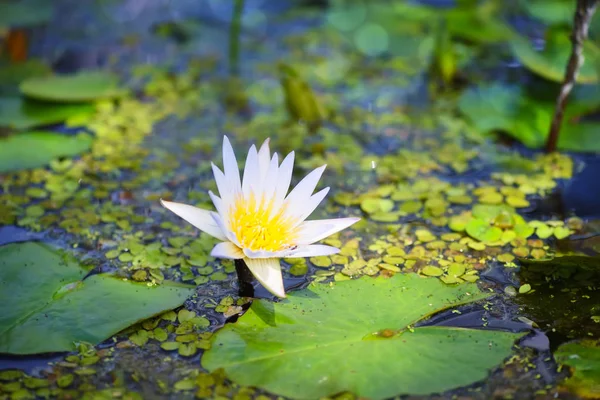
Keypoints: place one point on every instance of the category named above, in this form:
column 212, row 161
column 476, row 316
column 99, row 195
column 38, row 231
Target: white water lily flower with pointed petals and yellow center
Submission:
column 255, row 219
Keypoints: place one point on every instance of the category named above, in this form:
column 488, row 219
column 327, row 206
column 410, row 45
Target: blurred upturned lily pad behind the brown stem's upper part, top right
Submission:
column 551, row 62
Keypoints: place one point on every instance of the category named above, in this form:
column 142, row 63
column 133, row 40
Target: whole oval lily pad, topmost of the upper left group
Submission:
column 80, row 87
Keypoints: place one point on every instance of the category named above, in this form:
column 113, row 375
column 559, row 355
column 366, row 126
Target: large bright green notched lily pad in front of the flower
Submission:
column 322, row 341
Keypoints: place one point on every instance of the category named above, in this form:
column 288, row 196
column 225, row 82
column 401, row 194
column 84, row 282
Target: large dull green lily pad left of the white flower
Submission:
column 45, row 306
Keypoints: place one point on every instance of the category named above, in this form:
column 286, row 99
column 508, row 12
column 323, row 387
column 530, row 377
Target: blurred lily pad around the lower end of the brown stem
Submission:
column 510, row 110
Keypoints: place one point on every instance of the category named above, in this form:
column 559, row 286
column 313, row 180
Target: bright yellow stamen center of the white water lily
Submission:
column 258, row 227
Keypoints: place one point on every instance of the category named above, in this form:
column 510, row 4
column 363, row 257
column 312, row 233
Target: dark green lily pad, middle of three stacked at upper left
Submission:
column 17, row 113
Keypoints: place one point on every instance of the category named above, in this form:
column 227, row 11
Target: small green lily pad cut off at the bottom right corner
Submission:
column 584, row 360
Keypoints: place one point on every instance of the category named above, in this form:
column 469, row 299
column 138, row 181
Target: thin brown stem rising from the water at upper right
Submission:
column 581, row 22
